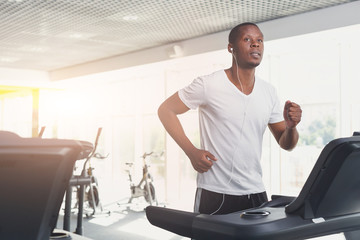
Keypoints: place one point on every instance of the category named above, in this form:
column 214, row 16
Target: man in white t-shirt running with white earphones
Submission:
column 234, row 109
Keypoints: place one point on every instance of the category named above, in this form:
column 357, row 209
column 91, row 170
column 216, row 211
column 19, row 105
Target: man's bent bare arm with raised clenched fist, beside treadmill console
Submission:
column 285, row 132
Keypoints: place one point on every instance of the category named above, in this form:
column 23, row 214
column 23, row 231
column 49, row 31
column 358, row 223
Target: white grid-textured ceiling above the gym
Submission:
column 53, row 34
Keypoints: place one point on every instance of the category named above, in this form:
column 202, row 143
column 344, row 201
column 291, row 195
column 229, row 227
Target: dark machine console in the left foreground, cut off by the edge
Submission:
column 34, row 174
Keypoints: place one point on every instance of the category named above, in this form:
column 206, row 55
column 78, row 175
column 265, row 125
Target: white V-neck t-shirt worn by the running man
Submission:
column 232, row 125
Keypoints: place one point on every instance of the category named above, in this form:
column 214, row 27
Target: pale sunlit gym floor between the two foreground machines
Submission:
column 125, row 222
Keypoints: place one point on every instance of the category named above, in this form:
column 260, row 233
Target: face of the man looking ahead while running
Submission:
column 249, row 47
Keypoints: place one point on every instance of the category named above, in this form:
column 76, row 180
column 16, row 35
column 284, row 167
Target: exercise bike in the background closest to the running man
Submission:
column 145, row 187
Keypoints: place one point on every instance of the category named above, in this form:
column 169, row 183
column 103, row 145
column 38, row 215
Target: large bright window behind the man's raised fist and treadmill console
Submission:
column 317, row 71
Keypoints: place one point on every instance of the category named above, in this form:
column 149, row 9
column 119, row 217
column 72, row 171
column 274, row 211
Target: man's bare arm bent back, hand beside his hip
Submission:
column 168, row 112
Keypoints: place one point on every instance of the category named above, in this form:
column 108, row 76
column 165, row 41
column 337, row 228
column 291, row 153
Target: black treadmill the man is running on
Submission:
column 328, row 203
